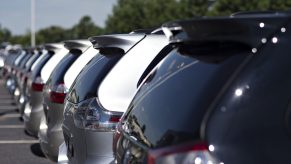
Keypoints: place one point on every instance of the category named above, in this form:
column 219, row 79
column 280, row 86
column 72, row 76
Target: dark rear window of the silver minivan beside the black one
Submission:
column 85, row 85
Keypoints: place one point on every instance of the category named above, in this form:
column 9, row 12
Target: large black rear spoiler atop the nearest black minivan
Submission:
column 251, row 30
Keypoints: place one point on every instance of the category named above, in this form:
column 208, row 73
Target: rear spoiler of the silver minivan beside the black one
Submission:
column 112, row 44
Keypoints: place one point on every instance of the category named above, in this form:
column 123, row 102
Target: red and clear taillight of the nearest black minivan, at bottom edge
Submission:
column 197, row 153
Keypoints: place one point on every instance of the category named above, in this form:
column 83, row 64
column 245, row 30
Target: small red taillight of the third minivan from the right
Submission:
column 58, row 93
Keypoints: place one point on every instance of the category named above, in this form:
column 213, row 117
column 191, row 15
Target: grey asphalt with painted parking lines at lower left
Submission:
column 16, row 147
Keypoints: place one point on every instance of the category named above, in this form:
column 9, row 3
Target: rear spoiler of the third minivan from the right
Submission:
column 80, row 45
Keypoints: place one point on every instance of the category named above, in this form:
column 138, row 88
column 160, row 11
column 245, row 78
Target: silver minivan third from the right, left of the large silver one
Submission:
column 54, row 92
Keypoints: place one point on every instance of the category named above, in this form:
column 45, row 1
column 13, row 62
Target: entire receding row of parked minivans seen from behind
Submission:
column 205, row 90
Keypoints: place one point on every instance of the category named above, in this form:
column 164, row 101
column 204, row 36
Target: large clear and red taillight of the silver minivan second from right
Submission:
column 89, row 115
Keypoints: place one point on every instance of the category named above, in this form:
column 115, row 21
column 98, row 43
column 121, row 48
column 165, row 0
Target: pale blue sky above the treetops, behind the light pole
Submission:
column 15, row 14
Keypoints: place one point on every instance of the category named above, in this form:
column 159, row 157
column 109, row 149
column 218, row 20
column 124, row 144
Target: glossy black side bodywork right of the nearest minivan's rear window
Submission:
column 250, row 124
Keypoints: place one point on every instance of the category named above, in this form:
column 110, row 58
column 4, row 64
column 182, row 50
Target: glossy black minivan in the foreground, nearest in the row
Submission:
column 222, row 95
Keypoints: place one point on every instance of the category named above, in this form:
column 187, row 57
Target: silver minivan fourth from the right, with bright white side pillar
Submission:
column 33, row 111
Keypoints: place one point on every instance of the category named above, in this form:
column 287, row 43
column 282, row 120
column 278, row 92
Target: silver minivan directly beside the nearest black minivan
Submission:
column 91, row 114
